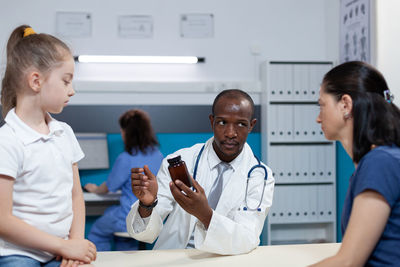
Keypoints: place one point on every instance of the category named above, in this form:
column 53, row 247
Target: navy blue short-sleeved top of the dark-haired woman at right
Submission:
column 379, row 170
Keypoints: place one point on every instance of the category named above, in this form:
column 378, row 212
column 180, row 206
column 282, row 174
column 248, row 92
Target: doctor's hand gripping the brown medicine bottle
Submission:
column 193, row 202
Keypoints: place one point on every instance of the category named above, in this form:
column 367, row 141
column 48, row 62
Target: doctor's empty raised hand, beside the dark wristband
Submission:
column 144, row 185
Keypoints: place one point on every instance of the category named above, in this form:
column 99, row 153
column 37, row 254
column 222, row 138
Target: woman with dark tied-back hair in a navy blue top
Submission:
column 356, row 108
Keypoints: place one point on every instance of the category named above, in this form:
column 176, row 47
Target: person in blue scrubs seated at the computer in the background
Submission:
column 141, row 147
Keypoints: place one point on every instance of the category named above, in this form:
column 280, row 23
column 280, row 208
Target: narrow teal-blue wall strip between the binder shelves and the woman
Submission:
column 345, row 169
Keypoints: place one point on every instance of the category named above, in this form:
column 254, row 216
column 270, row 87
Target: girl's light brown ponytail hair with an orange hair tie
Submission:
column 27, row 49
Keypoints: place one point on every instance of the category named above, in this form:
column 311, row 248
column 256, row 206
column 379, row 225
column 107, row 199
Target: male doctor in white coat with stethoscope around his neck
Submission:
column 219, row 214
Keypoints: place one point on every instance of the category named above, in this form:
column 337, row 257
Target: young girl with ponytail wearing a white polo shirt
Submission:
column 41, row 202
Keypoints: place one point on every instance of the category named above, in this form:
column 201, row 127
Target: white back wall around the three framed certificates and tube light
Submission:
column 284, row 30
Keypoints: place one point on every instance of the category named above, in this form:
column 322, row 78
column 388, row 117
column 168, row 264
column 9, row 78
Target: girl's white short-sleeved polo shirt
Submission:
column 42, row 168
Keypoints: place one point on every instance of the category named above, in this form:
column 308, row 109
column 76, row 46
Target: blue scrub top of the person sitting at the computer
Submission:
column 120, row 176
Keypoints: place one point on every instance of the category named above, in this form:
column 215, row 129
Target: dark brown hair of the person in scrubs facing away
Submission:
column 139, row 134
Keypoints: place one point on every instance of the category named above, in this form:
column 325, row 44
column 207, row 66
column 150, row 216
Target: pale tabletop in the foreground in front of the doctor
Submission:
column 288, row 255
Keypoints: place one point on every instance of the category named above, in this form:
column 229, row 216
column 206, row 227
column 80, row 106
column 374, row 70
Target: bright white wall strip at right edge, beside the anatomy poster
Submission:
column 387, row 42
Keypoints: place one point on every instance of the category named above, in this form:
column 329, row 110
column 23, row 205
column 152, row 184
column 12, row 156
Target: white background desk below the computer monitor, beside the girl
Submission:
column 96, row 204
